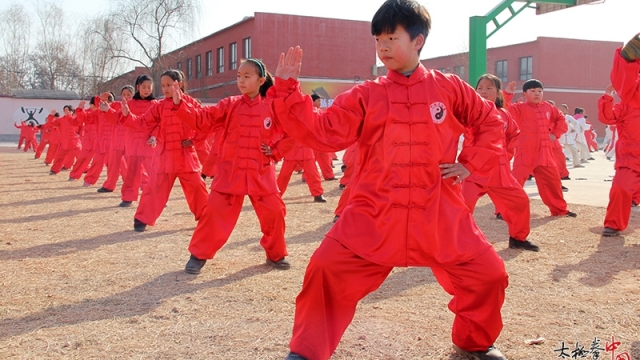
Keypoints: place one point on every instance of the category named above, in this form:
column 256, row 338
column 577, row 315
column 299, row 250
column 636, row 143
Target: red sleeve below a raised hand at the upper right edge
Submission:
column 625, row 78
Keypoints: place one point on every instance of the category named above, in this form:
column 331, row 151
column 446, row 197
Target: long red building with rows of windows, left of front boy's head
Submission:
column 337, row 54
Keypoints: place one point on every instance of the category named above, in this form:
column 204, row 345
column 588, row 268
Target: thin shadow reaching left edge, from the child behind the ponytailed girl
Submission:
column 78, row 245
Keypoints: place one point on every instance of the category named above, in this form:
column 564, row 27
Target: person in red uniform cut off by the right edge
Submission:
column 626, row 116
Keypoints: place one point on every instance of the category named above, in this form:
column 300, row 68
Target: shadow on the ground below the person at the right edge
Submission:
column 610, row 258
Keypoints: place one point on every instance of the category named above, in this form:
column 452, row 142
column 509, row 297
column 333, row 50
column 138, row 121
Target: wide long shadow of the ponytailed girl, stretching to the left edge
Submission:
column 134, row 302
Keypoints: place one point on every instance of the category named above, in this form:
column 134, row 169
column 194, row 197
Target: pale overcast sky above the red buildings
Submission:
column 611, row 20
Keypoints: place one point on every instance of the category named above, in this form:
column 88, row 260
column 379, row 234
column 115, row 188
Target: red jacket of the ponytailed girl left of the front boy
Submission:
column 242, row 168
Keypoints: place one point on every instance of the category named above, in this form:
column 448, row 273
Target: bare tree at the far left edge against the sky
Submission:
column 15, row 67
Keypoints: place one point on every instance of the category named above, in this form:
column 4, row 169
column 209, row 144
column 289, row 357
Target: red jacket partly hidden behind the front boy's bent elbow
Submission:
column 499, row 176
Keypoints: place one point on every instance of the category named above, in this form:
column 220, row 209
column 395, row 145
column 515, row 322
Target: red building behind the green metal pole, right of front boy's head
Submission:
column 574, row 72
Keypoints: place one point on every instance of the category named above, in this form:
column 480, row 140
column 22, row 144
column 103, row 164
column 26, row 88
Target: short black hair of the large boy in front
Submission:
column 411, row 15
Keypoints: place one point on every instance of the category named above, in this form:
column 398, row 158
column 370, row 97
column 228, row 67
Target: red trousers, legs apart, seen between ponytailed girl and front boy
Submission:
column 305, row 158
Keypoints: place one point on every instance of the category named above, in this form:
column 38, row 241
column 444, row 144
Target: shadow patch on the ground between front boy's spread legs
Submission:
column 399, row 282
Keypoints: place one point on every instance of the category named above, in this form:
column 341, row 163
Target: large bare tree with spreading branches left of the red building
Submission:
column 151, row 28
